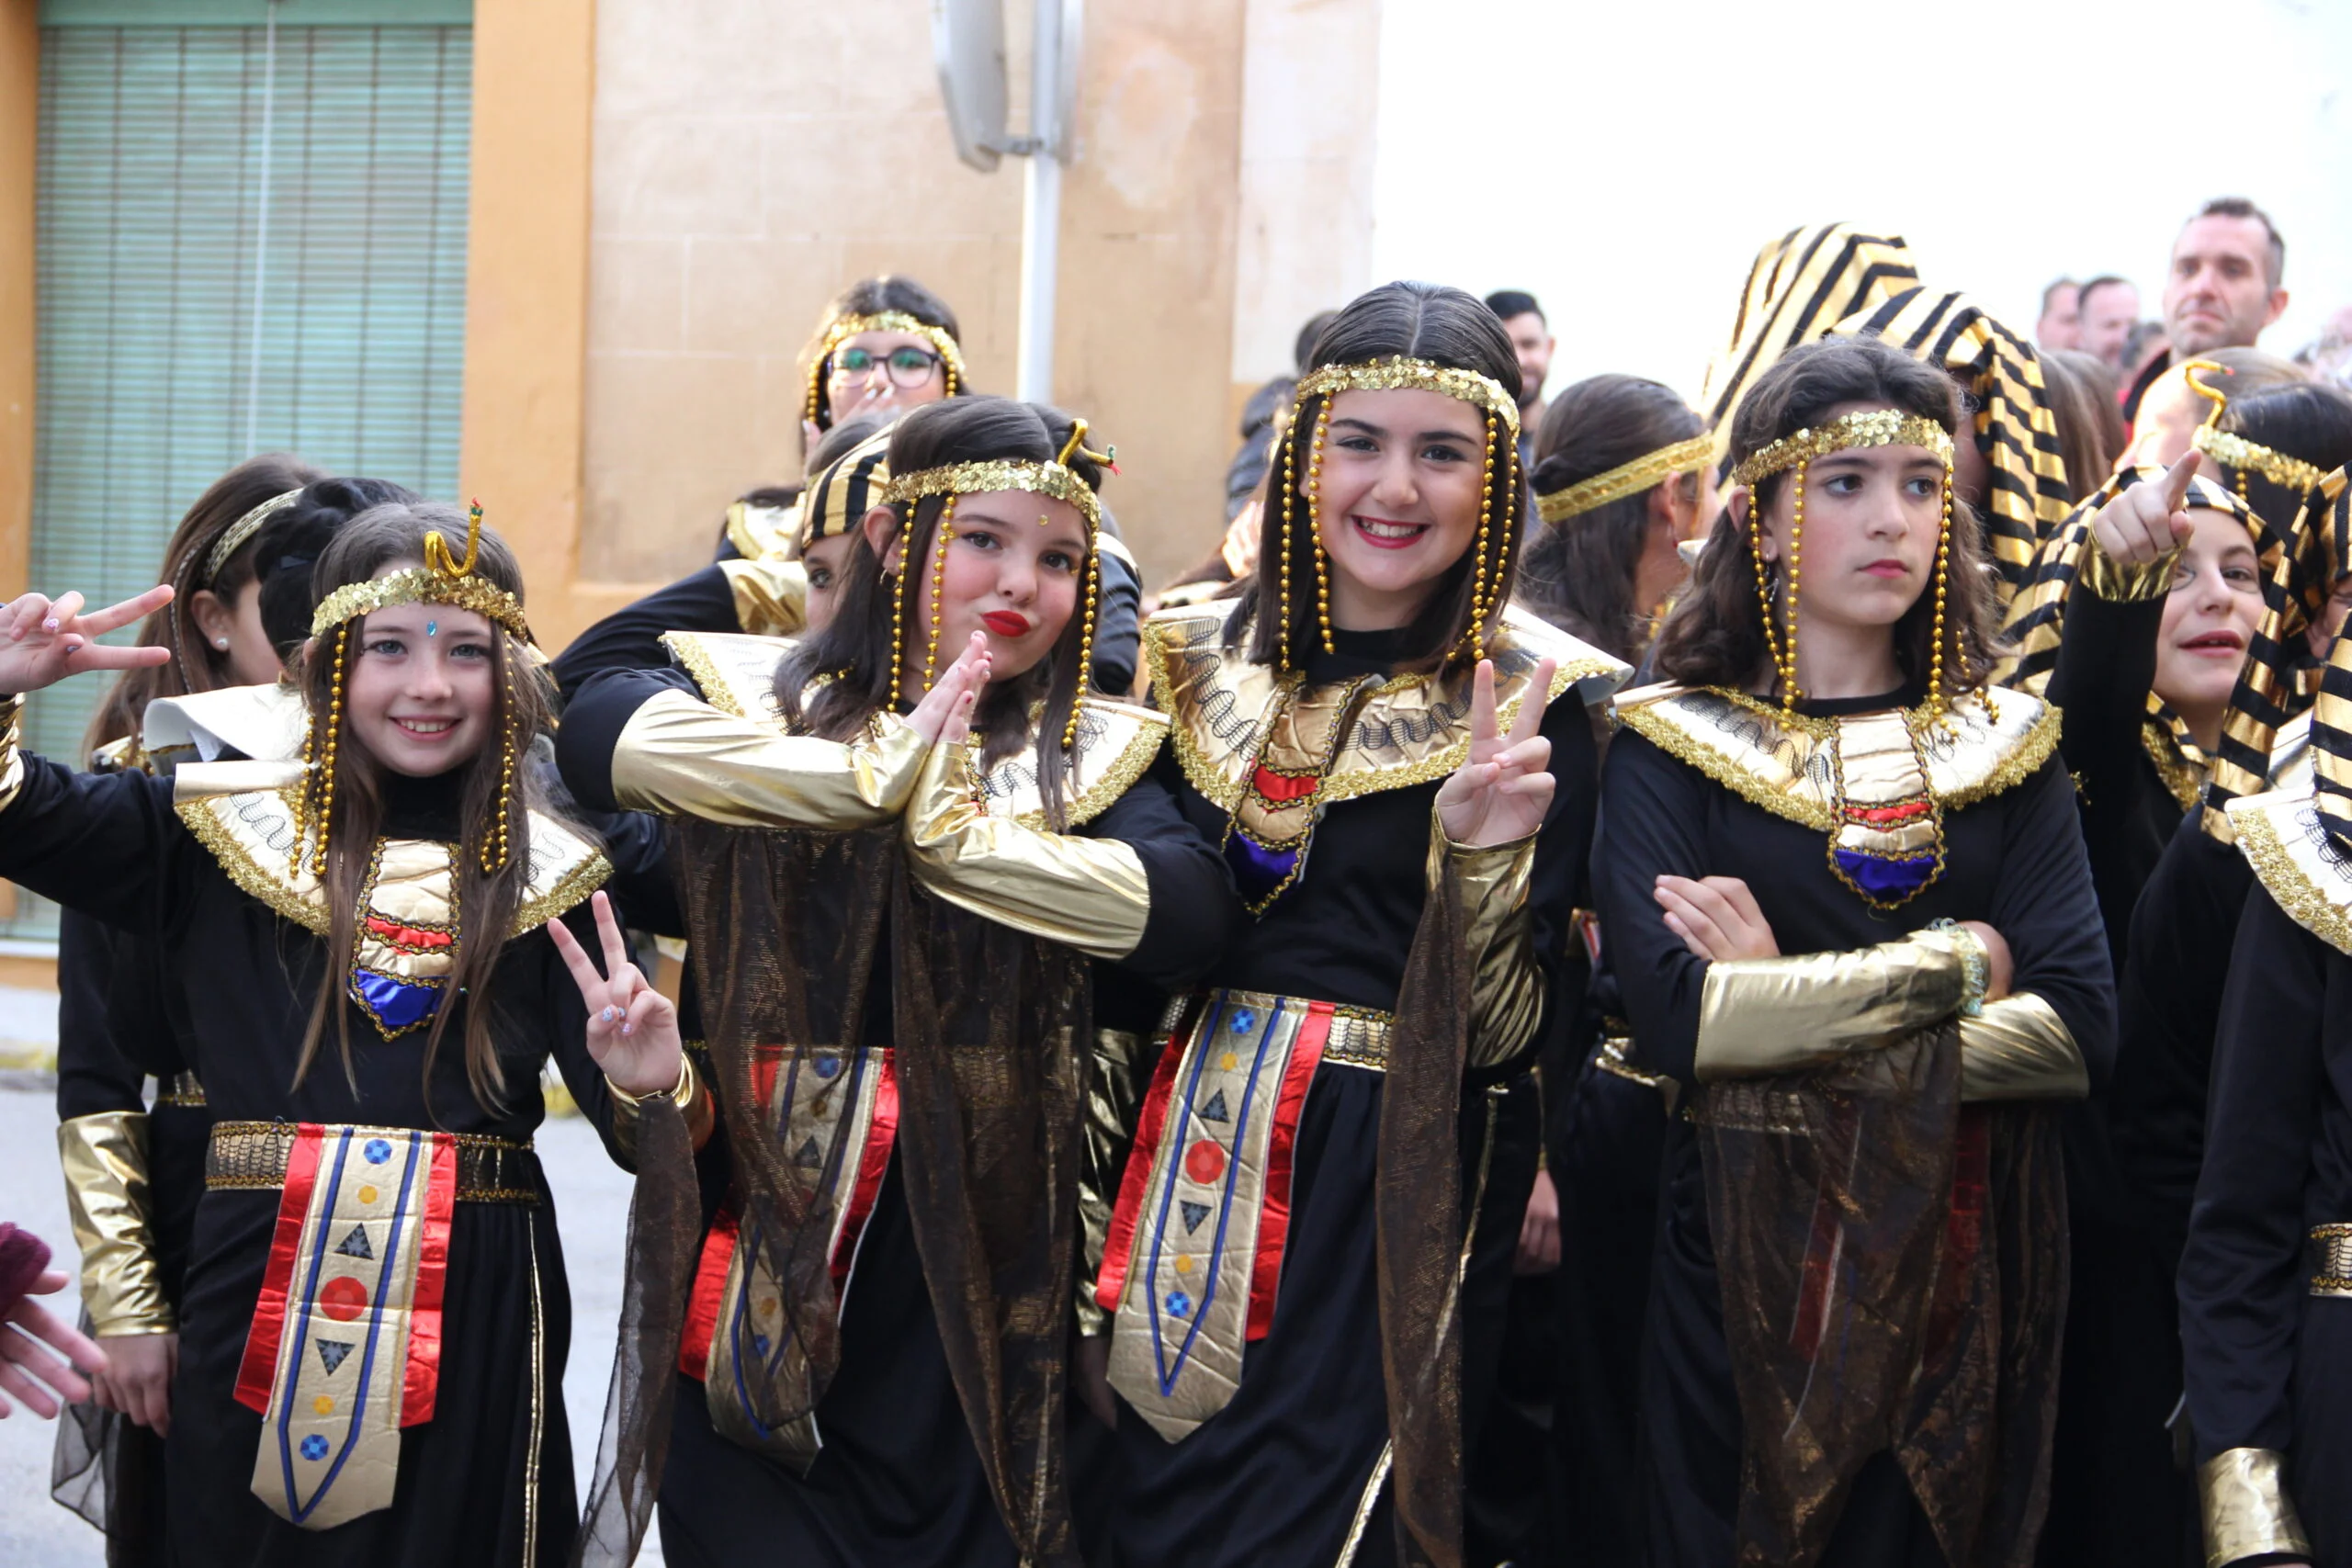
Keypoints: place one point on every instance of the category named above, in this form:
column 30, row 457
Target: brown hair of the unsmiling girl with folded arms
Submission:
column 1716, row 634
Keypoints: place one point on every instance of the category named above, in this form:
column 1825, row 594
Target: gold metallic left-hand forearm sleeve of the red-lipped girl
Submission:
column 683, row 758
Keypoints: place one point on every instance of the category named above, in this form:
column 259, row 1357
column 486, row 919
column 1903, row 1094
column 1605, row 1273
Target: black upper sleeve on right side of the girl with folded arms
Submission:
column 2047, row 913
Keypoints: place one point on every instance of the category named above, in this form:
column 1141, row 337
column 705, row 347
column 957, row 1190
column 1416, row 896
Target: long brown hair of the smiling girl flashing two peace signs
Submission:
column 363, row 549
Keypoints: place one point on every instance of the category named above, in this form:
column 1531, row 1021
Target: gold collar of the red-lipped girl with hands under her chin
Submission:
column 1116, row 742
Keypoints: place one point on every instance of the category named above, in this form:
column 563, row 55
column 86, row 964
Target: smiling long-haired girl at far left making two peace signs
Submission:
column 375, row 1318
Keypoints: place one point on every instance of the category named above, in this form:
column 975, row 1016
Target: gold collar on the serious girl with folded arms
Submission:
column 1786, row 768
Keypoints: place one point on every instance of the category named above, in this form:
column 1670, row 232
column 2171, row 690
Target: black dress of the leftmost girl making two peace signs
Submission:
column 490, row 1475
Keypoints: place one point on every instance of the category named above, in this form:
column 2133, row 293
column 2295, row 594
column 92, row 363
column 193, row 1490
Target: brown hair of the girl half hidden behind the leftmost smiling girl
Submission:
column 194, row 664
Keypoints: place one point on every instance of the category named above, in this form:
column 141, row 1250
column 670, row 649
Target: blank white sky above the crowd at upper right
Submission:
column 1657, row 145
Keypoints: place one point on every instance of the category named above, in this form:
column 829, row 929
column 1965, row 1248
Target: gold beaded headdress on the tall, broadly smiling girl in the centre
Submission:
column 1391, row 375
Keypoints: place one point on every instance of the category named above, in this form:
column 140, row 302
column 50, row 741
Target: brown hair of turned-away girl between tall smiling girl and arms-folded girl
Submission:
column 1579, row 575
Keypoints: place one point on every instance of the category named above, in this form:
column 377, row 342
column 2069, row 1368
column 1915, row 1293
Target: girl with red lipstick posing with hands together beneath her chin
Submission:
column 923, row 871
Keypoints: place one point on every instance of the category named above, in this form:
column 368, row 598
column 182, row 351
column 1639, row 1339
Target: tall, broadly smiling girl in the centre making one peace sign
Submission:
column 1372, row 739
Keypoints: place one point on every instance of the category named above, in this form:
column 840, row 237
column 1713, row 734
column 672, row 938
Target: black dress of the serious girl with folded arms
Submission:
column 2012, row 859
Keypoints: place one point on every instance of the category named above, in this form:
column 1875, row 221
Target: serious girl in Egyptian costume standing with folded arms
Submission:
column 1850, row 916
